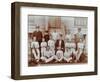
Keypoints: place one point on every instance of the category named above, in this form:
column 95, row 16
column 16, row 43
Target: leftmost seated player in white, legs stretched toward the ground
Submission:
column 35, row 49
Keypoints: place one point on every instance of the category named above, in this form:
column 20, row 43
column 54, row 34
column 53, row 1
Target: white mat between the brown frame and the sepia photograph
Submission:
column 54, row 69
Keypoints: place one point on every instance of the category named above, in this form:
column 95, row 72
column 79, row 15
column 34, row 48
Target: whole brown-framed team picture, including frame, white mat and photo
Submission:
column 51, row 40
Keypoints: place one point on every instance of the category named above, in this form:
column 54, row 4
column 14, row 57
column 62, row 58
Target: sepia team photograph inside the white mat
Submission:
column 57, row 40
